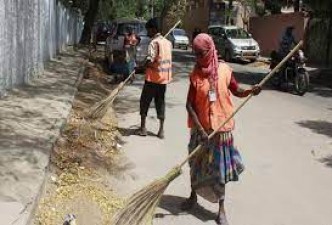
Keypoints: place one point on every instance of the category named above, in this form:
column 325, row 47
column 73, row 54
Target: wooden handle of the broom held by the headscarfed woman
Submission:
column 196, row 150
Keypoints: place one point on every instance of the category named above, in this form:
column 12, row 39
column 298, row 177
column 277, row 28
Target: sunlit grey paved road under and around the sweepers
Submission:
column 286, row 142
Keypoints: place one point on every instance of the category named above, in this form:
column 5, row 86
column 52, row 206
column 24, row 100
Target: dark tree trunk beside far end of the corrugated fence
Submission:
column 89, row 19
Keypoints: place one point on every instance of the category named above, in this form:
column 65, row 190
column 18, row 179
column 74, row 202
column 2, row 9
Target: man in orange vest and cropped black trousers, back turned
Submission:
column 158, row 74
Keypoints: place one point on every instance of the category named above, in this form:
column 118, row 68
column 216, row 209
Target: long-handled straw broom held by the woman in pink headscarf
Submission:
column 140, row 207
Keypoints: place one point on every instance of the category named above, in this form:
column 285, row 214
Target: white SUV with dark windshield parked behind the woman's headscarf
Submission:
column 234, row 43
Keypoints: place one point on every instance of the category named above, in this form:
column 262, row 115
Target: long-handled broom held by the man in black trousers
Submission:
column 99, row 109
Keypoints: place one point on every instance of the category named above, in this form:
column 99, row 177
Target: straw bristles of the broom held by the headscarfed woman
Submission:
column 140, row 207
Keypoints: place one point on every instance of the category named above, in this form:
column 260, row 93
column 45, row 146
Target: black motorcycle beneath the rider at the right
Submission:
column 293, row 72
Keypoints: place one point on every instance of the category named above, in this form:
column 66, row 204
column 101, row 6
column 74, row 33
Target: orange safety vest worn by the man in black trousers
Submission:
column 160, row 70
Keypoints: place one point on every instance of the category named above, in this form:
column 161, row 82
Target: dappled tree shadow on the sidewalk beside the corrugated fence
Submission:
column 24, row 123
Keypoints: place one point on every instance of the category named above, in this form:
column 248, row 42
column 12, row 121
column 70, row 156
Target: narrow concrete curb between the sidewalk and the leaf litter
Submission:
column 61, row 124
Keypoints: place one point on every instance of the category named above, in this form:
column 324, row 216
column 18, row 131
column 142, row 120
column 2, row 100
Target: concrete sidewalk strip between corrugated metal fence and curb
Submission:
column 30, row 122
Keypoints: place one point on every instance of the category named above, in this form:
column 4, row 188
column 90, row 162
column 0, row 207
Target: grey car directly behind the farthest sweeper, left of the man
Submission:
column 114, row 44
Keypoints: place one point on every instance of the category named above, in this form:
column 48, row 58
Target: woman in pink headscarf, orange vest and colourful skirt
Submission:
column 209, row 103
